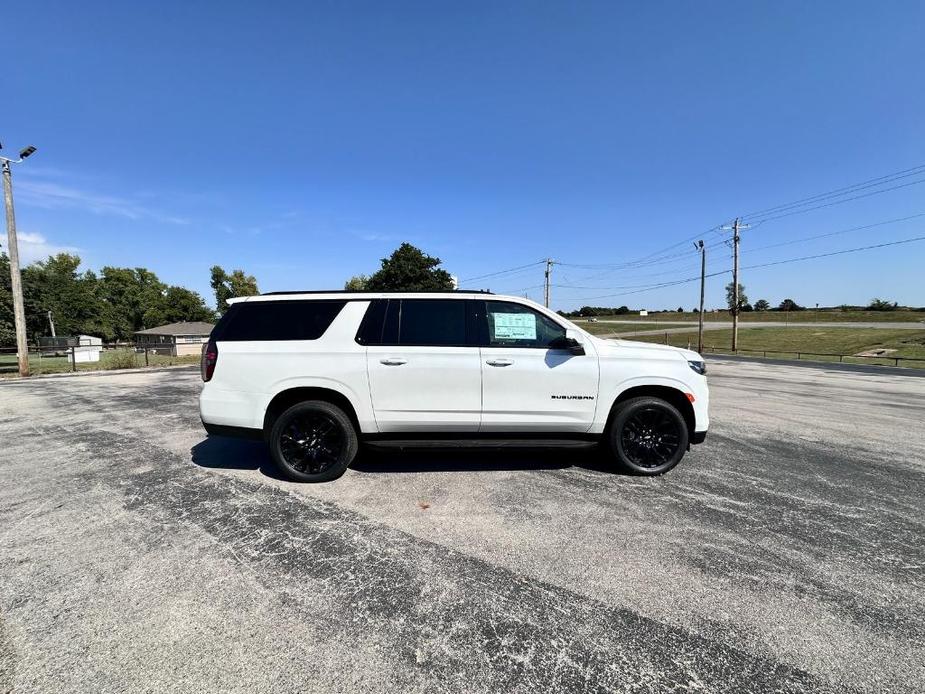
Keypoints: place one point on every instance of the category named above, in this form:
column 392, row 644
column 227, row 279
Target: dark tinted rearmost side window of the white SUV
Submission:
column 277, row 320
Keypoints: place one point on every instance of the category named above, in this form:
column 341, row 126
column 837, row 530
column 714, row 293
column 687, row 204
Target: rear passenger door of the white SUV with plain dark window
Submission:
column 424, row 369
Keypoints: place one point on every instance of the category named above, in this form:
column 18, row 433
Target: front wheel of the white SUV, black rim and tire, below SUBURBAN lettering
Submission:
column 647, row 435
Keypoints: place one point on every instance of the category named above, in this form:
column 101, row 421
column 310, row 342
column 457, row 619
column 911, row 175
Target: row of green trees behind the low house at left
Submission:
column 112, row 304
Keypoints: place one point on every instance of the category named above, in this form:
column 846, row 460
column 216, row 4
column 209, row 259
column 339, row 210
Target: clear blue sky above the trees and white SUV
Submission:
column 304, row 141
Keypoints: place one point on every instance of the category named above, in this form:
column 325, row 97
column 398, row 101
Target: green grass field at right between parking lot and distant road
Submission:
column 787, row 342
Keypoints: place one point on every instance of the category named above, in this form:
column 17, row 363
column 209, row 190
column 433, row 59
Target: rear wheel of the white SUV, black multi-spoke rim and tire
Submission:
column 313, row 441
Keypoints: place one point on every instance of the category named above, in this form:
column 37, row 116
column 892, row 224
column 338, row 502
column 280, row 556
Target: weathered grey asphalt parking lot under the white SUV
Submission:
column 786, row 554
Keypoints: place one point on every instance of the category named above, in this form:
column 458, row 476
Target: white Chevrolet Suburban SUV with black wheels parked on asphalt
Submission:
column 316, row 373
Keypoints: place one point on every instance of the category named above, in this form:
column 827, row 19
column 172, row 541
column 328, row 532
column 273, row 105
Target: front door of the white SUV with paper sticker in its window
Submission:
column 526, row 384
